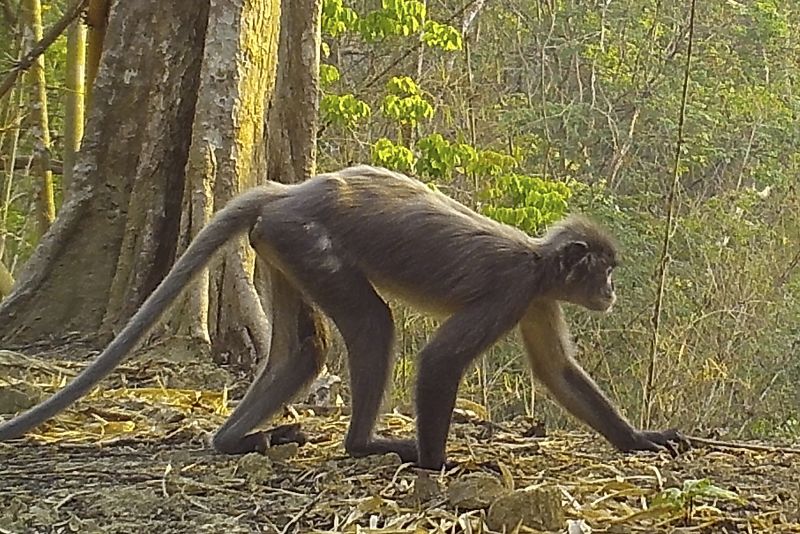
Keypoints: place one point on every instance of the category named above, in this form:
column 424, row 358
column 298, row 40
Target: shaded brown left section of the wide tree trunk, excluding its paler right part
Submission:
column 121, row 222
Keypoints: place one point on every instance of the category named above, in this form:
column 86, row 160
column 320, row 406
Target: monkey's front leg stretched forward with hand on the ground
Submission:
column 546, row 338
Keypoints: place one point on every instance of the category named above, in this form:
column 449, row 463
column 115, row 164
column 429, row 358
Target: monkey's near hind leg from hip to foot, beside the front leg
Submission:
column 306, row 255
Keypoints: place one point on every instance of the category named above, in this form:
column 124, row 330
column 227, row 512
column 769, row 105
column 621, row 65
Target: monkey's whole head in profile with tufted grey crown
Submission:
column 584, row 258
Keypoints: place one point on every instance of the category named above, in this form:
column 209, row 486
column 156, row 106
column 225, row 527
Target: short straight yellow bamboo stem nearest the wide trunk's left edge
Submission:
column 73, row 113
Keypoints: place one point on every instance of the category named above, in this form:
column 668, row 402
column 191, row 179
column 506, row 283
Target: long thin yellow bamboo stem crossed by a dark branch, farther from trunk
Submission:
column 33, row 32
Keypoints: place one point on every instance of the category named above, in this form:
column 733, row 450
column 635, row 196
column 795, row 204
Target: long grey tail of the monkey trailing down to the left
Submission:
column 235, row 218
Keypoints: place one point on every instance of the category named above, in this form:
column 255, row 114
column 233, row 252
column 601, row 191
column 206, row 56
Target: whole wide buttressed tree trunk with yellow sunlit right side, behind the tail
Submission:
column 180, row 92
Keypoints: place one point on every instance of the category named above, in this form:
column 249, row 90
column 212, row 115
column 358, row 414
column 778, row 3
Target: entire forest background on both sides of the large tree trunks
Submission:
column 526, row 111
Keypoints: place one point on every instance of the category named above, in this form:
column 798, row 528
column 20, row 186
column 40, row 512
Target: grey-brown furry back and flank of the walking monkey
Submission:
column 411, row 241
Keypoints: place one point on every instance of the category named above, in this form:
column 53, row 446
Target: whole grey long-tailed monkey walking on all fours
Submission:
column 341, row 238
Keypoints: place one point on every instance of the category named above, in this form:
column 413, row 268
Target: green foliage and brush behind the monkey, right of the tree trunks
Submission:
column 595, row 111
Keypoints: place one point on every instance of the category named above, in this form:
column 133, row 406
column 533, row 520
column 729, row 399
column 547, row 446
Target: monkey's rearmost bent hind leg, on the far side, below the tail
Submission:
column 299, row 344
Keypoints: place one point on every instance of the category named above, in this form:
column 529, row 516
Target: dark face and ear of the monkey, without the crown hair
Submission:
column 589, row 278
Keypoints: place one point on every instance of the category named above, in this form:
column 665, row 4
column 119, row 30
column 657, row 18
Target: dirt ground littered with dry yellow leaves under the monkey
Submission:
column 134, row 457
